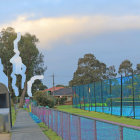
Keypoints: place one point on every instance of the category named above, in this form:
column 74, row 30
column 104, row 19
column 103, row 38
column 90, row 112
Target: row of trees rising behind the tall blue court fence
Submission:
column 90, row 70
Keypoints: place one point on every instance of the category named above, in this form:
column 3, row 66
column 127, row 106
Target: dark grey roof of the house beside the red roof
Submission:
column 63, row 92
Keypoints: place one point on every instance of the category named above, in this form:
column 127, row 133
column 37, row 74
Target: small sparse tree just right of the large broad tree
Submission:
column 111, row 72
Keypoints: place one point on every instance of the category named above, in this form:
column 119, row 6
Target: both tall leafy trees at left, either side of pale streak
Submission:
column 31, row 57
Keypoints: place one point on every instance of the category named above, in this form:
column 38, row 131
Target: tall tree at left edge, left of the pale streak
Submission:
column 7, row 37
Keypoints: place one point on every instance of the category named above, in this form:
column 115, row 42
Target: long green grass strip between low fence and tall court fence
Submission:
column 113, row 118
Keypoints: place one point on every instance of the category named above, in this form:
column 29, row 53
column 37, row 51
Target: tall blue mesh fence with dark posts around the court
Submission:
column 119, row 96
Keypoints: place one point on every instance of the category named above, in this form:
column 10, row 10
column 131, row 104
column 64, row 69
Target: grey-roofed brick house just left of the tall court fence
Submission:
column 64, row 92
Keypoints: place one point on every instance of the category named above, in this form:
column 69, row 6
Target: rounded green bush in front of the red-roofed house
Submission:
column 43, row 99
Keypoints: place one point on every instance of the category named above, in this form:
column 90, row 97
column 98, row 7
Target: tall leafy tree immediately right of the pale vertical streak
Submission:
column 32, row 59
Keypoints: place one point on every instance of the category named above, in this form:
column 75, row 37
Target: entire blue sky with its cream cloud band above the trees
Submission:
column 68, row 29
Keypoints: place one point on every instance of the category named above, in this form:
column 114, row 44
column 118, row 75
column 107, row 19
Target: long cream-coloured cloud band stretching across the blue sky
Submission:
column 50, row 30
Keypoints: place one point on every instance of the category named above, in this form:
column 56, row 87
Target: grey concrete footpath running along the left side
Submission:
column 26, row 129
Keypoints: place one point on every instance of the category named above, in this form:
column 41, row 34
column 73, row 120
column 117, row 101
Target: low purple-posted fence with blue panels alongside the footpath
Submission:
column 77, row 127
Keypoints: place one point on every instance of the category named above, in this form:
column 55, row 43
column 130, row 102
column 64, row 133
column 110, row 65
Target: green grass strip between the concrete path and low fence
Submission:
column 48, row 132
